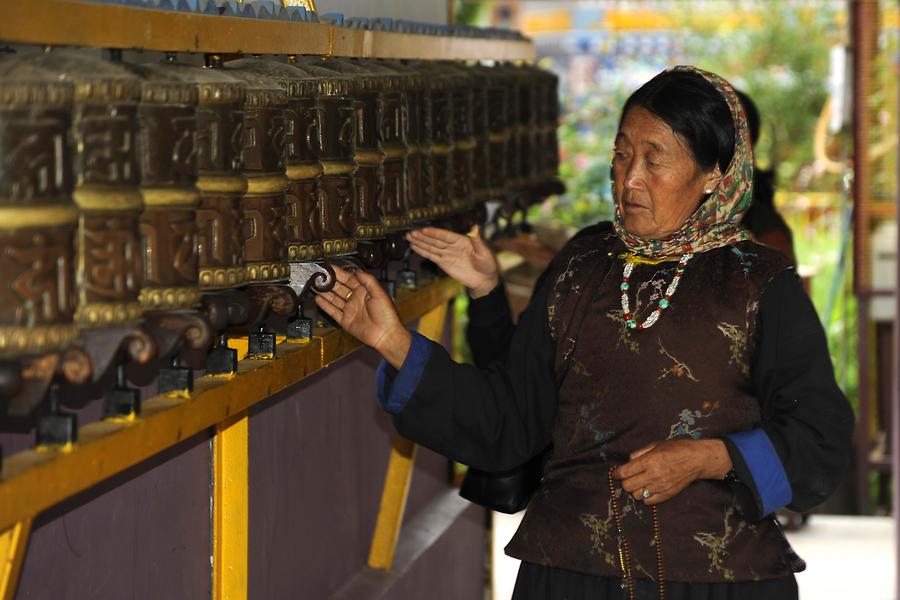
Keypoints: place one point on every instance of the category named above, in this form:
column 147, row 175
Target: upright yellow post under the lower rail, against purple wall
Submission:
column 231, row 508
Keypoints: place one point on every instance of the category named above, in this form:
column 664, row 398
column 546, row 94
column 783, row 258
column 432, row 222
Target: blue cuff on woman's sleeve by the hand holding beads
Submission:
column 765, row 467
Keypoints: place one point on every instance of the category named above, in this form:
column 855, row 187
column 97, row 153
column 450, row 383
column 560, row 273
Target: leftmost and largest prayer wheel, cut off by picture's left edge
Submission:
column 37, row 216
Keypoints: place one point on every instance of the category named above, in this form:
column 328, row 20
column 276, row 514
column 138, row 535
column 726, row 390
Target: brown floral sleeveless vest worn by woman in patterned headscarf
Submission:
column 686, row 376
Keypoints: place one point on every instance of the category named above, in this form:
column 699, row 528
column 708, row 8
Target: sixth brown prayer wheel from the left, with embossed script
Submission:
column 301, row 143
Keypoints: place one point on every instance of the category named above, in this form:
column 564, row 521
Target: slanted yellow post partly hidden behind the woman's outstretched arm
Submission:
column 399, row 471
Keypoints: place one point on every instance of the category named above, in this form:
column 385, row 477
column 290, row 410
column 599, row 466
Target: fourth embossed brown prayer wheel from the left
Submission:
column 219, row 140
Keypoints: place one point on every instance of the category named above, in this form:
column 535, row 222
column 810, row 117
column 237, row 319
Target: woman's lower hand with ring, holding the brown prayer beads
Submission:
column 665, row 468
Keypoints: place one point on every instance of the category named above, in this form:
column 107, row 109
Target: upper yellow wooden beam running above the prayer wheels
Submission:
column 80, row 23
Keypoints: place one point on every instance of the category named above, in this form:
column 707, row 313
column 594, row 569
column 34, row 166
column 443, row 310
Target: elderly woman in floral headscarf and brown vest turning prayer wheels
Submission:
column 677, row 368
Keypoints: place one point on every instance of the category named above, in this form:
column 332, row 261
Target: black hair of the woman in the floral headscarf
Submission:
column 694, row 109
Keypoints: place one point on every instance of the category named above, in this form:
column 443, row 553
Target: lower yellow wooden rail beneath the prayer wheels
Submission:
column 34, row 480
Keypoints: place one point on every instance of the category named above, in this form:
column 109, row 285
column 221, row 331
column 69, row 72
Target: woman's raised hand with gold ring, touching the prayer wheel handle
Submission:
column 363, row 309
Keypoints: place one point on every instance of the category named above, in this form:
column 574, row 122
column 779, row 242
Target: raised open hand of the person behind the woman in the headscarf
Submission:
column 465, row 258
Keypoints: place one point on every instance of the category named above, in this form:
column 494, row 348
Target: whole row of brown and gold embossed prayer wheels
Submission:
column 136, row 197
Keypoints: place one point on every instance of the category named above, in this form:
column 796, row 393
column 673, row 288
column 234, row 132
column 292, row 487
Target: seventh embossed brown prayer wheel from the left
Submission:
column 337, row 157
